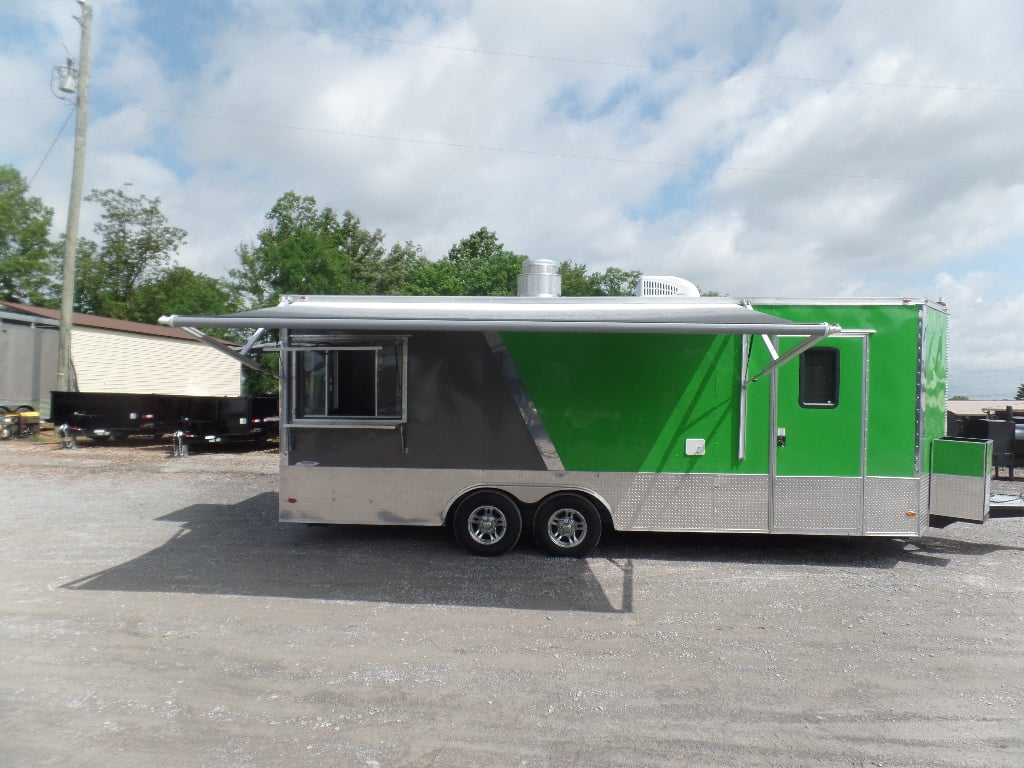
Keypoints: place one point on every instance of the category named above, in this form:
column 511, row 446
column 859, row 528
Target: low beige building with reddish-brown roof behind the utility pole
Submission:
column 108, row 356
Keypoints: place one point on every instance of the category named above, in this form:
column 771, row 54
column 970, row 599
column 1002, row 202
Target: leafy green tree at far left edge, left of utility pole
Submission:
column 30, row 263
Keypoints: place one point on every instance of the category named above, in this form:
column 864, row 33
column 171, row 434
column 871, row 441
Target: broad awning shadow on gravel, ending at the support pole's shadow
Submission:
column 243, row 550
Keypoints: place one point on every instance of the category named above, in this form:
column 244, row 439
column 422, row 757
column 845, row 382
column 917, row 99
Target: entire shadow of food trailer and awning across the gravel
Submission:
column 243, row 550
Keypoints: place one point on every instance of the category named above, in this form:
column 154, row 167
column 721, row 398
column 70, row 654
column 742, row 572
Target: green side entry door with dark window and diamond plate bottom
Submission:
column 820, row 438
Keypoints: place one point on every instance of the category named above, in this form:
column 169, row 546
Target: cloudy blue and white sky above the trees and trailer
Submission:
column 788, row 149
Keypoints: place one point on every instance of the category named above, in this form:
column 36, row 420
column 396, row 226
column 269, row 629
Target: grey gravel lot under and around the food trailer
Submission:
column 154, row 613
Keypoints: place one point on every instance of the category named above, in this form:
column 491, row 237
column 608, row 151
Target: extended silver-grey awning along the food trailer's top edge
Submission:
column 607, row 315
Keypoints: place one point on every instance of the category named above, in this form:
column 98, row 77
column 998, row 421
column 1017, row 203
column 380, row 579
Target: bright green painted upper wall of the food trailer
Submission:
column 627, row 403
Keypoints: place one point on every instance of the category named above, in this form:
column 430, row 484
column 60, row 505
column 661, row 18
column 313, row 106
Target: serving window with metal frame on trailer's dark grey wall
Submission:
column 343, row 381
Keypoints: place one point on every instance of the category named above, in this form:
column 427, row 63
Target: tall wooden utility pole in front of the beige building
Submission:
column 71, row 238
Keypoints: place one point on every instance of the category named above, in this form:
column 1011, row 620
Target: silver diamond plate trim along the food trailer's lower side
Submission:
column 637, row 502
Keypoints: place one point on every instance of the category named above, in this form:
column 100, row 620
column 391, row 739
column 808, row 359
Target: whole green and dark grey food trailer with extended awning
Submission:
column 567, row 416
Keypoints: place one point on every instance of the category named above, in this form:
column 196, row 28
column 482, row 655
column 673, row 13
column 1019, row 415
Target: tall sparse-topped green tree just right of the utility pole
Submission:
column 136, row 248
